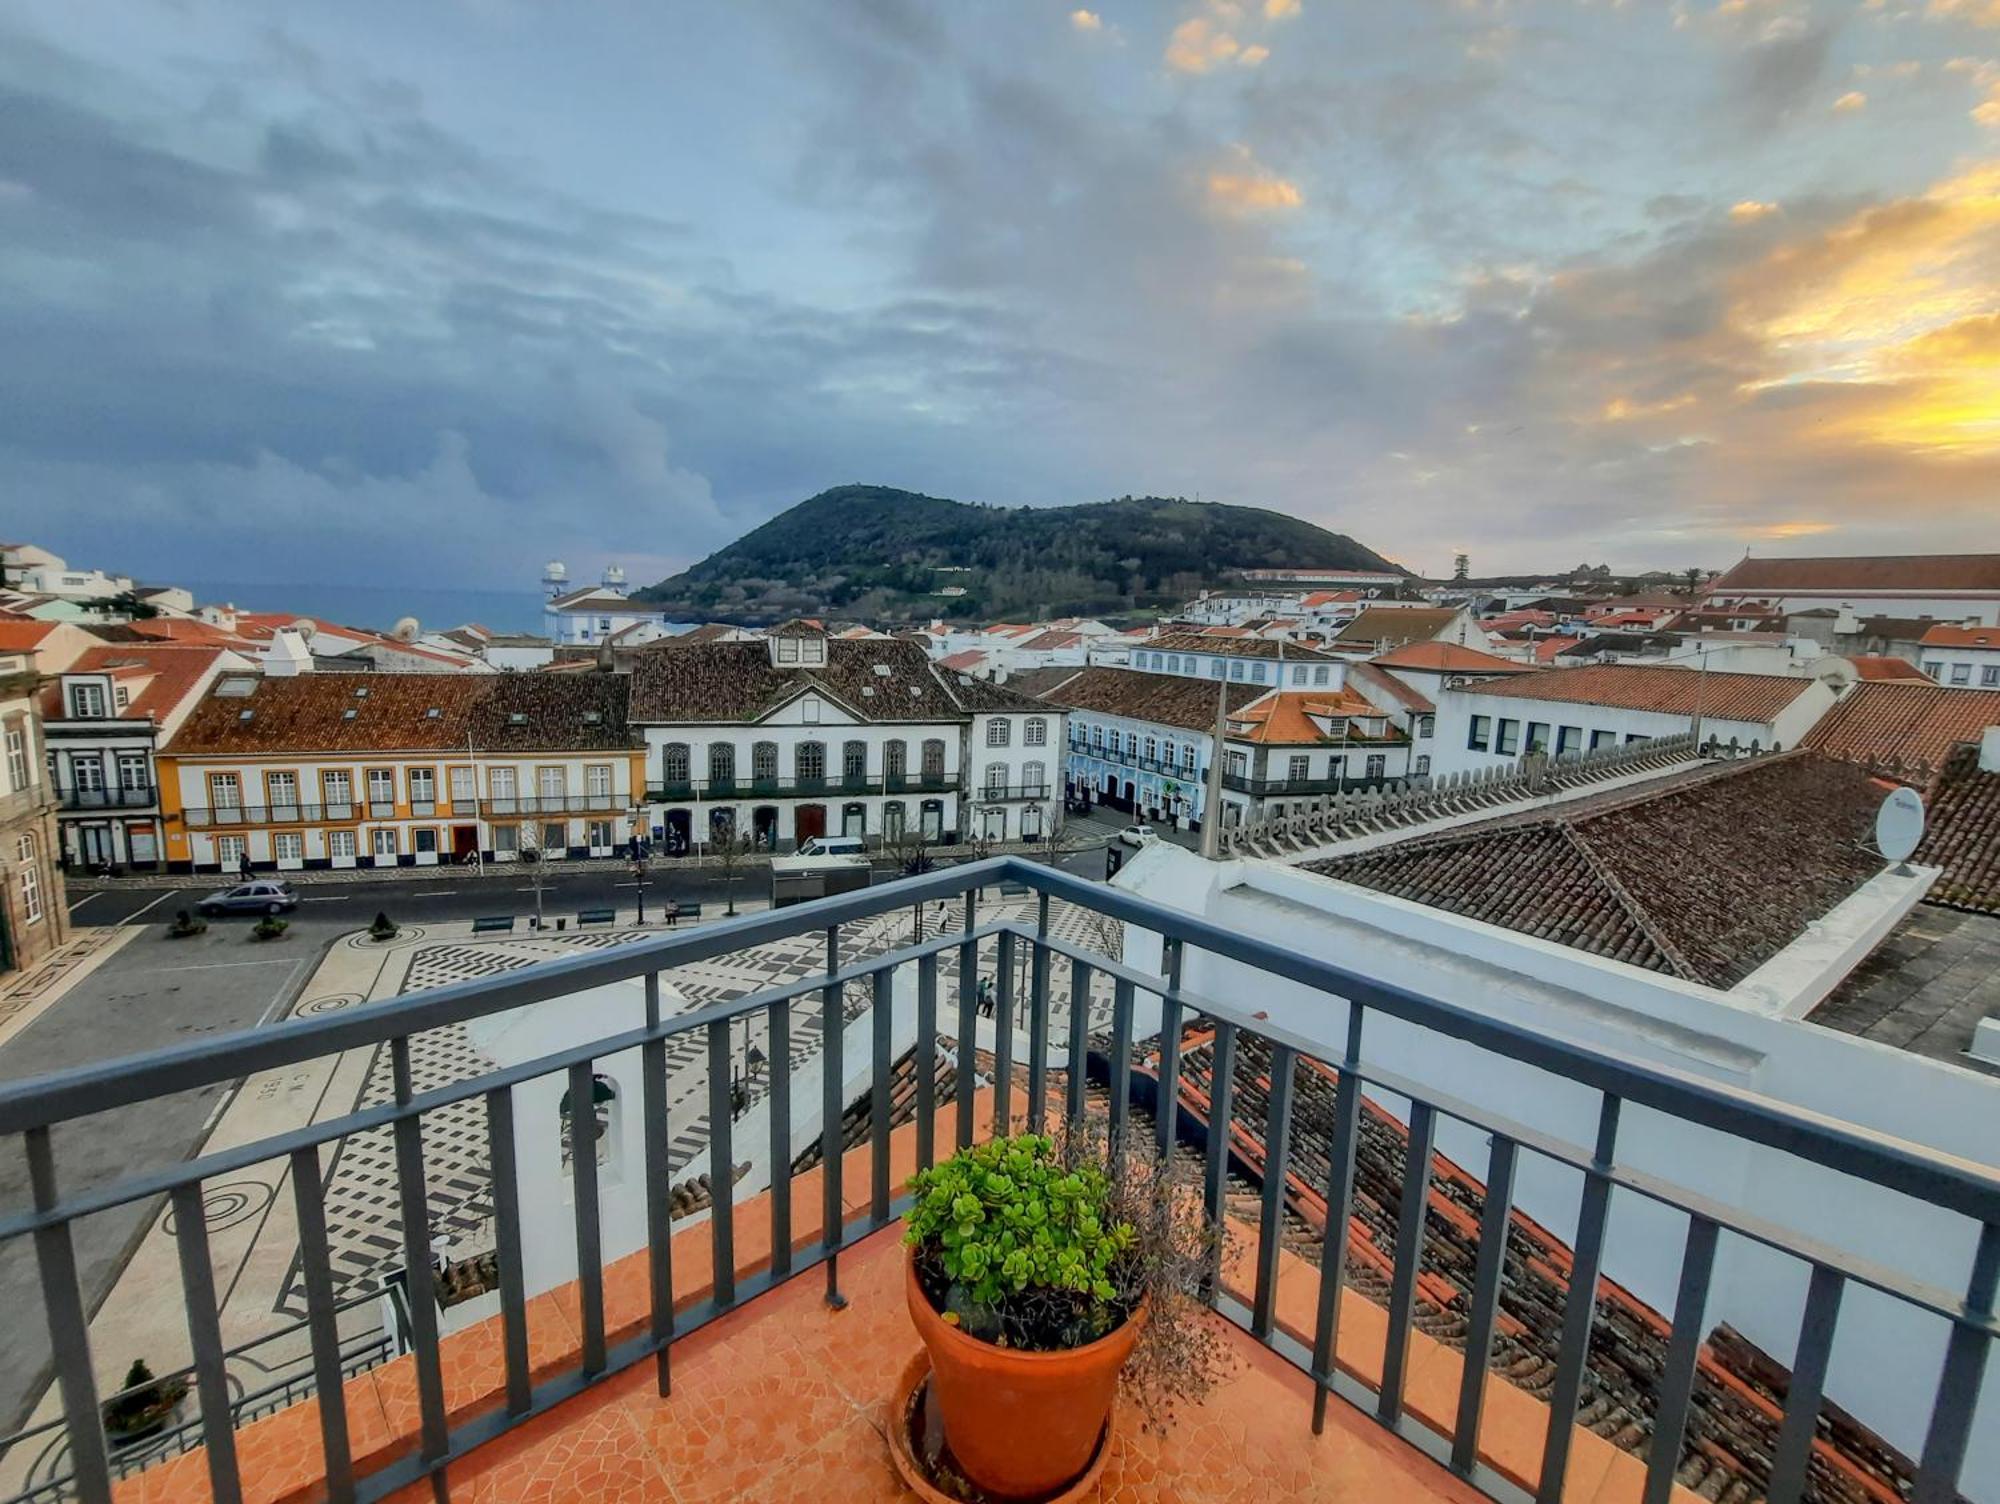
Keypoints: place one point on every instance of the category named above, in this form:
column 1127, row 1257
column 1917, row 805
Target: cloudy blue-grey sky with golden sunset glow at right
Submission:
column 397, row 293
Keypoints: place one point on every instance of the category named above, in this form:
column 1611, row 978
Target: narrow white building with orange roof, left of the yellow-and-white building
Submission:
column 103, row 721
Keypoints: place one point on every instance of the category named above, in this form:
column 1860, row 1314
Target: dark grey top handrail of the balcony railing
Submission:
column 1883, row 1159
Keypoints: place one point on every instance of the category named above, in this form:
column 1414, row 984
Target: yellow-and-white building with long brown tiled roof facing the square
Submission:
column 341, row 771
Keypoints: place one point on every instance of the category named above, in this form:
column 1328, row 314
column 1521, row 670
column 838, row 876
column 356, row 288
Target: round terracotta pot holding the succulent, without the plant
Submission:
column 1021, row 1425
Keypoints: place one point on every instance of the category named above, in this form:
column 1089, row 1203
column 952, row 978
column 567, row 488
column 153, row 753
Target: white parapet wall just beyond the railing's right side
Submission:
column 1887, row 1357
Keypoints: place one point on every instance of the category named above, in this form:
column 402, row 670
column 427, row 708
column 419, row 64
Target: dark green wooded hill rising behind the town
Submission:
column 883, row 555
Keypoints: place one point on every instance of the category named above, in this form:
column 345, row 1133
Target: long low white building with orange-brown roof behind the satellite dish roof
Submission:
column 1567, row 711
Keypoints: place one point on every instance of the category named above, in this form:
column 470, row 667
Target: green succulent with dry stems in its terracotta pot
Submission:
column 1043, row 1273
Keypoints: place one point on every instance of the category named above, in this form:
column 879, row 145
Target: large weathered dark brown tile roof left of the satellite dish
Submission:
column 1675, row 881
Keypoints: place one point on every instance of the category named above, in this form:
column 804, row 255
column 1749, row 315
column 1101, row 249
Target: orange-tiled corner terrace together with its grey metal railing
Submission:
column 707, row 1359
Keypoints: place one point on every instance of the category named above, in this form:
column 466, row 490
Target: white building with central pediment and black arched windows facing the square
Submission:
column 801, row 735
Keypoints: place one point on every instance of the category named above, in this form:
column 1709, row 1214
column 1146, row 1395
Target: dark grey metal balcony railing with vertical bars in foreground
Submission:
column 1261, row 1097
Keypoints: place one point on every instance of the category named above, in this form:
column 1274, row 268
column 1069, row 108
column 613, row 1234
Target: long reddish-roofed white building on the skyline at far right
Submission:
column 1945, row 587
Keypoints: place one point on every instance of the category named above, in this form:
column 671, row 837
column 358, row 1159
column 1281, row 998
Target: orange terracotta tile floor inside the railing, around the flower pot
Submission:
column 785, row 1401
